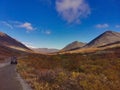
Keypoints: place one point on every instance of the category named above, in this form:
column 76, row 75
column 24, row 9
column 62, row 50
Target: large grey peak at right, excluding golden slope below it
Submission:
column 104, row 39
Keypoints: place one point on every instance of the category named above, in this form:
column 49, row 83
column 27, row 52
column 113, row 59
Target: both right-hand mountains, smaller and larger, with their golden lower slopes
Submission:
column 108, row 38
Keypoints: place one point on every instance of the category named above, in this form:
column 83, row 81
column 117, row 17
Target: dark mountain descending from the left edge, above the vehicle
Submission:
column 8, row 41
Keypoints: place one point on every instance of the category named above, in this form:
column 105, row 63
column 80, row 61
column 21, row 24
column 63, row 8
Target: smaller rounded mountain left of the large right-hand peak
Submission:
column 74, row 45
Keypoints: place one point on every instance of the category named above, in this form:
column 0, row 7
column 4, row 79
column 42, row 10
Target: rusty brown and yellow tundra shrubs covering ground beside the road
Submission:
column 82, row 71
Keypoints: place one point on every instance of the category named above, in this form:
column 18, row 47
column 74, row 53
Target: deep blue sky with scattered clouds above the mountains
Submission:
column 56, row 23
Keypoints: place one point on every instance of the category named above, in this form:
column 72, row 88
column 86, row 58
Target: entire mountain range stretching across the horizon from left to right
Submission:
column 108, row 38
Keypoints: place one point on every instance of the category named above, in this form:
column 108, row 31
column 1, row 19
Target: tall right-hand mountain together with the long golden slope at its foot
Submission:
column 108, row 39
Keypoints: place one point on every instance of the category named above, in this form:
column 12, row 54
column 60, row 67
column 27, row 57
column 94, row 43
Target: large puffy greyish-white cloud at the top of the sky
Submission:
column 72, row 10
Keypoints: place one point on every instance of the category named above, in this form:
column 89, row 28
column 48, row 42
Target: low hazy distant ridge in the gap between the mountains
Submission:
column 44, row 50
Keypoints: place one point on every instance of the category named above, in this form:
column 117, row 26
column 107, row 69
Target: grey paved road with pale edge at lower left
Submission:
column 9, row 79
